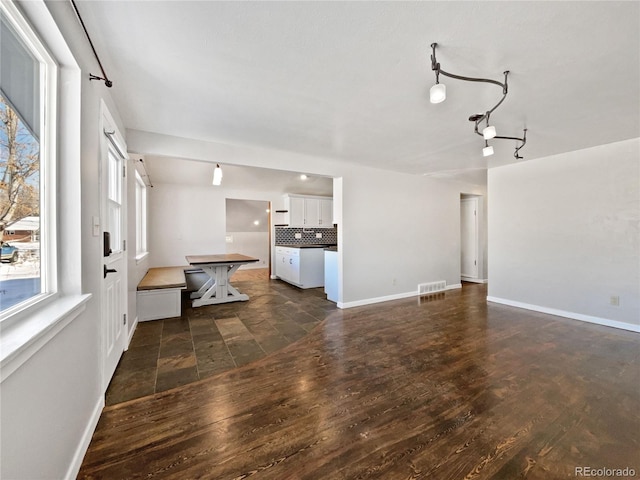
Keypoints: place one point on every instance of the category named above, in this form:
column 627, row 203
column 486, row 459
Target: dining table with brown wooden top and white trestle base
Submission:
column 219, row 268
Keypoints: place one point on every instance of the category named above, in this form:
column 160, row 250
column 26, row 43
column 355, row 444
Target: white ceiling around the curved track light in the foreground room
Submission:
column 350, row 80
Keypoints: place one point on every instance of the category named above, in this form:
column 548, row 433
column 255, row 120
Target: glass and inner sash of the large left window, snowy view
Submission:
column 27, row 164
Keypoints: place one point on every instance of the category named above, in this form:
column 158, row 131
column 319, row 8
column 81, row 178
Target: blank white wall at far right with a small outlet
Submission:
column 564, row 233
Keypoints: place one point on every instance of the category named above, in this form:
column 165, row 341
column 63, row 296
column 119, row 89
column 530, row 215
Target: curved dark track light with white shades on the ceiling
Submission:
column 437, row 94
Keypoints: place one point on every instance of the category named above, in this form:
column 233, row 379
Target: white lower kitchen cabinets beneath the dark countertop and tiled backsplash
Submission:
column 302, row 267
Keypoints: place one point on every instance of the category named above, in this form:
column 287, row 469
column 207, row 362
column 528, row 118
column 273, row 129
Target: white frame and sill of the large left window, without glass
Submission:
column 28, row 326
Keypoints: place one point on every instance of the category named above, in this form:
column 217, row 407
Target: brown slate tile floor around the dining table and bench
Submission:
column 205, row 341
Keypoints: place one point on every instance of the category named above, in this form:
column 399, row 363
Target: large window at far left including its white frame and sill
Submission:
column 34, row 60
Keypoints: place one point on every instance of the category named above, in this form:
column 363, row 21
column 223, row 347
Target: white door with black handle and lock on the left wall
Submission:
column 113, row 210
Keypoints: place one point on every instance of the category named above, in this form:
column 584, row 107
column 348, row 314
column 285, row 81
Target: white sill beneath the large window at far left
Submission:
column 21, row 340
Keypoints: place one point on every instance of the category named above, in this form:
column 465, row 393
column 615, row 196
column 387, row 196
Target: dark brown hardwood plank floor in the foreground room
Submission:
column 442, row 387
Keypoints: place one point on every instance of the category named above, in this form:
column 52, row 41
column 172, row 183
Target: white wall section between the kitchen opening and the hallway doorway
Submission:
column 398, row 231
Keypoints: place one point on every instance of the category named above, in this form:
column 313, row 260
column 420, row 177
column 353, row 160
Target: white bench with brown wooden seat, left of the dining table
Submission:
column 160, row 293
